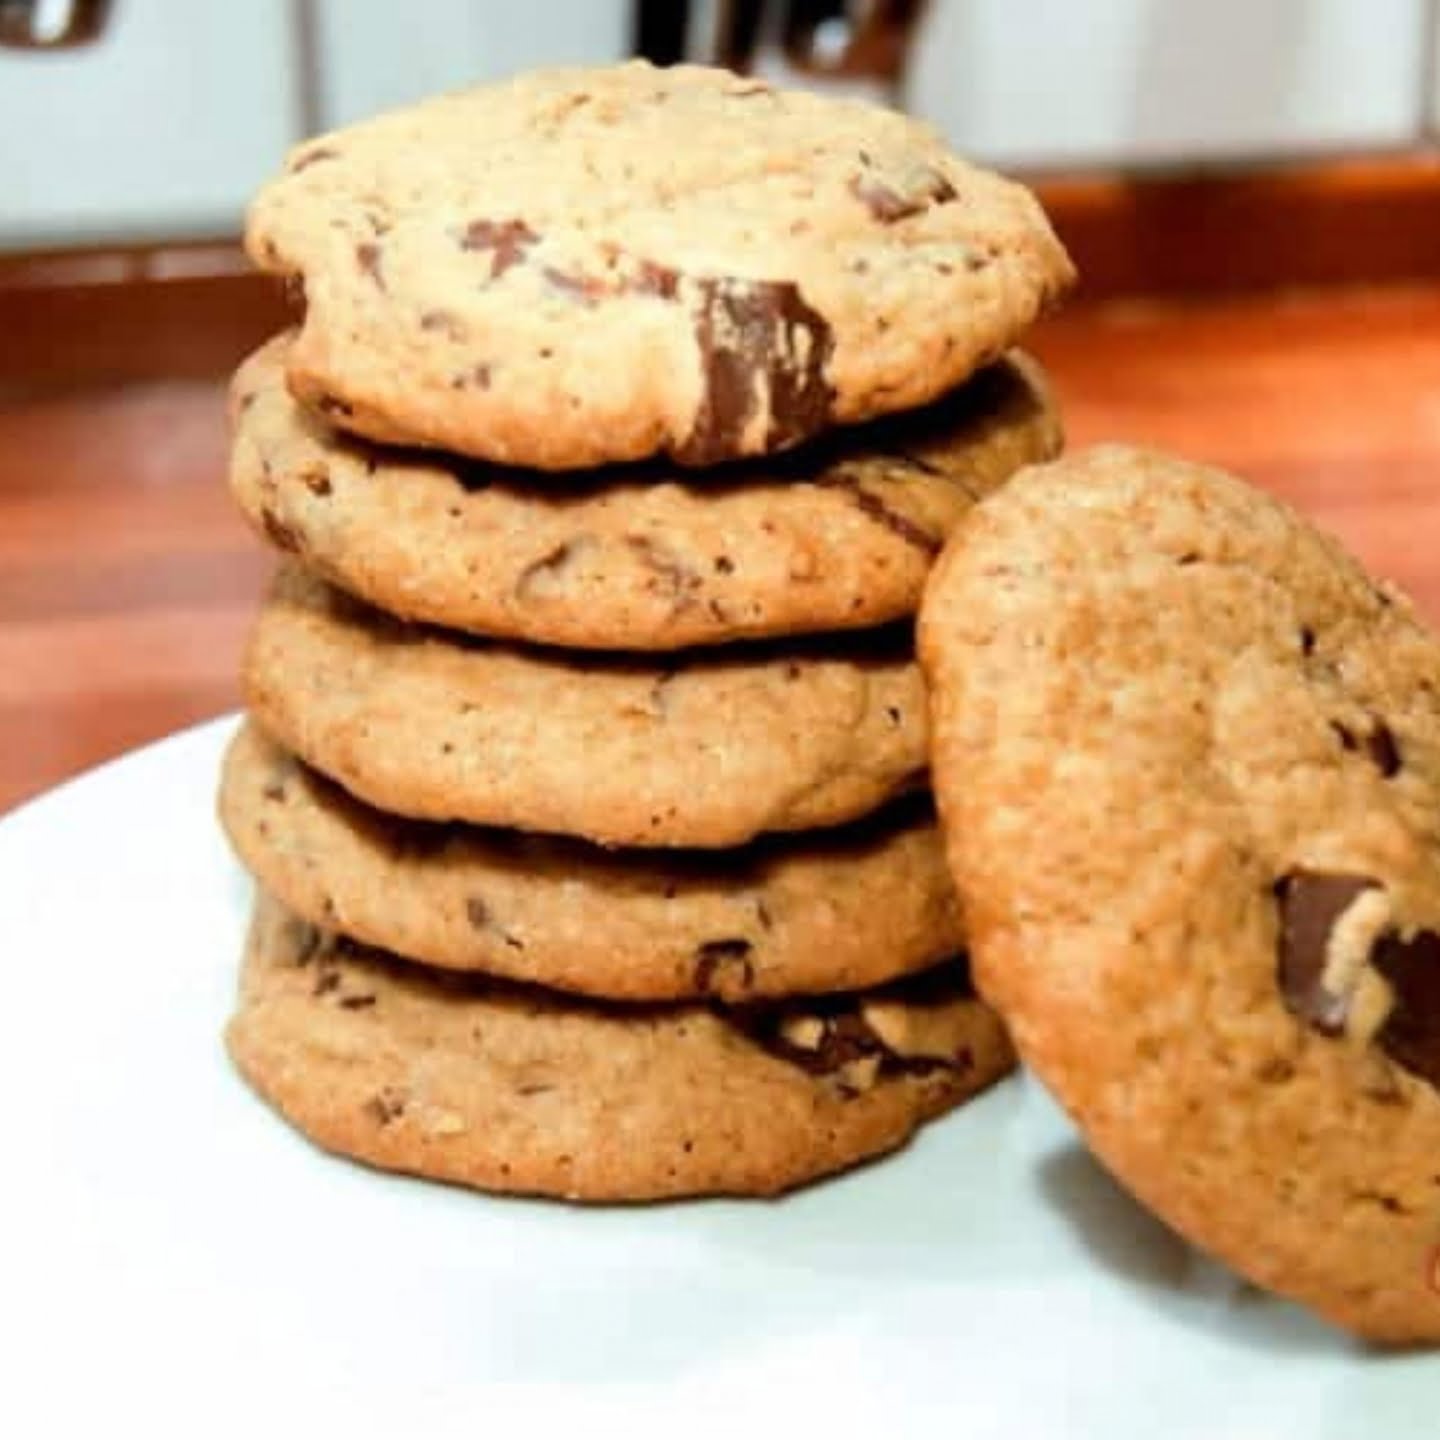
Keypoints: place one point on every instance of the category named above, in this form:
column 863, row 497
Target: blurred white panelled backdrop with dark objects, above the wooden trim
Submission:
column 161, row 117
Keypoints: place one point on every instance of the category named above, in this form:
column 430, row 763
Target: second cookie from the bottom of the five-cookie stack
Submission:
column 834, row 911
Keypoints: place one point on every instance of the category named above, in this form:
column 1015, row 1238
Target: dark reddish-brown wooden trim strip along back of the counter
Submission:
column 195, row 310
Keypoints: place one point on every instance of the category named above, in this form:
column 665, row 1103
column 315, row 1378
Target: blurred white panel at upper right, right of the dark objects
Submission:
column 1063, row 83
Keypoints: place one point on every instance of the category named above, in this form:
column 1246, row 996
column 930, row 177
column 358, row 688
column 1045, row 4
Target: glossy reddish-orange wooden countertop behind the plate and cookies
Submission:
column 127, row 580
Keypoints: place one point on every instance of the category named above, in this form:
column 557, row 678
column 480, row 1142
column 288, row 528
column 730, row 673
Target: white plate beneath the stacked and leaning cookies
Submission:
column 172, row 1254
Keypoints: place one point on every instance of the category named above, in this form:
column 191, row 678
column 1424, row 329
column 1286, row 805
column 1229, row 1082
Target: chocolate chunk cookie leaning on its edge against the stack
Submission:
column 1189, row 760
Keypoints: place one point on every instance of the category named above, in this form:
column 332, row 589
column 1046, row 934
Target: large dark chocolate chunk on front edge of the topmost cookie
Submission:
column 760, row 342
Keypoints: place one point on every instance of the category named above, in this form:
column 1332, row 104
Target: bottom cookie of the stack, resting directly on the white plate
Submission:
column 509, row 1088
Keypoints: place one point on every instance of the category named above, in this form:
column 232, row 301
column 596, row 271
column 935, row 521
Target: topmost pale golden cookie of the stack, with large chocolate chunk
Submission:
column 590, row 266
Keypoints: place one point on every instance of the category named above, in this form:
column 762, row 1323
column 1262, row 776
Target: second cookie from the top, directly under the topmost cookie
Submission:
column 837, row 536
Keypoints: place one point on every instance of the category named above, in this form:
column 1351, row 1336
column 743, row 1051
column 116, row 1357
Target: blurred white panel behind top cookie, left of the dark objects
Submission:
column 378, row 54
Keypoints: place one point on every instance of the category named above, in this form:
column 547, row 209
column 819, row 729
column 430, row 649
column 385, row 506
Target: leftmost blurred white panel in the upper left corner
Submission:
column 161, row 129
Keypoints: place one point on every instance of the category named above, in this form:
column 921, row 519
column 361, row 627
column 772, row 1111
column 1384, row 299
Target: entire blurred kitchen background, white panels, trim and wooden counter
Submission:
column 1251, row 188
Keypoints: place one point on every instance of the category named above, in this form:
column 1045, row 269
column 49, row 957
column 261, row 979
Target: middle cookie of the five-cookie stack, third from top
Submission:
column 709, row 752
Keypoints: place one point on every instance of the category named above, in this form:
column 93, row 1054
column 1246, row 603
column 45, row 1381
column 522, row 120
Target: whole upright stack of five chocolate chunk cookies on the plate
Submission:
column 585, row 778
